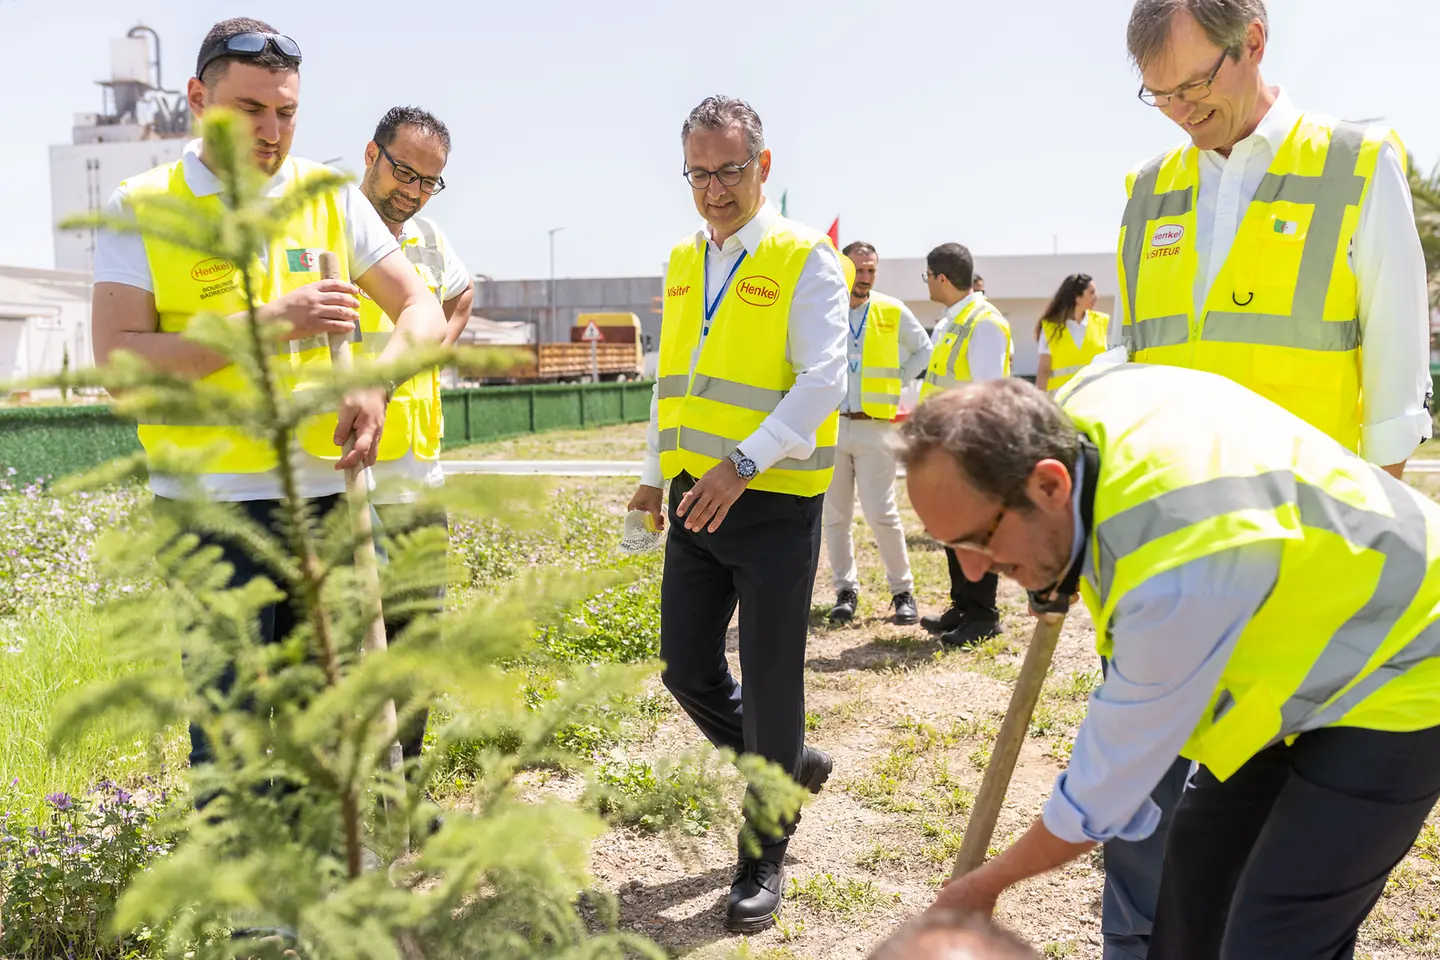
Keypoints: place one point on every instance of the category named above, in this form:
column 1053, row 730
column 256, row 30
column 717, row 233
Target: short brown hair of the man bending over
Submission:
column 997, row 431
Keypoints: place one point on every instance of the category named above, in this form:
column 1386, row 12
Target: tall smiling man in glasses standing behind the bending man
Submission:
column 1269, row 250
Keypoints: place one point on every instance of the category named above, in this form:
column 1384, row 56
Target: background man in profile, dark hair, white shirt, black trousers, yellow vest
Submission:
column 971, row 343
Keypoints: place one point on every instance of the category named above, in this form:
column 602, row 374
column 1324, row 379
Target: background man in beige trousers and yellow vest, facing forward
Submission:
column 886, row 349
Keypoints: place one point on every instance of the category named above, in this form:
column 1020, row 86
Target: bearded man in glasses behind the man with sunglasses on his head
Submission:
column 405, row 162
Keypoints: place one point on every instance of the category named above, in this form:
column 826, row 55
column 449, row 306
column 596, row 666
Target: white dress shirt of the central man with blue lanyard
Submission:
column 817, row 330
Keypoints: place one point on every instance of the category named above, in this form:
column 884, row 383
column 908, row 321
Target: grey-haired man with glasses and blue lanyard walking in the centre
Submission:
column 752, row 368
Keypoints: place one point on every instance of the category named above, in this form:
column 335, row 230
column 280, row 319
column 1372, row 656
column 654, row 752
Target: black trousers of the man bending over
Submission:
column 1288, row 857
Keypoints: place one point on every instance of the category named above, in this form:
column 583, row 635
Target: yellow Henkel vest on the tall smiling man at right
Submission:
column 1281, row 317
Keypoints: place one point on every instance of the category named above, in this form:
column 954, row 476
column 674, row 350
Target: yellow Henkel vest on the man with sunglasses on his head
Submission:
column 188, row 283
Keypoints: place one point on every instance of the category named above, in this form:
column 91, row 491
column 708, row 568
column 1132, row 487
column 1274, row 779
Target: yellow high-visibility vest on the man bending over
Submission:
column 1350, row 634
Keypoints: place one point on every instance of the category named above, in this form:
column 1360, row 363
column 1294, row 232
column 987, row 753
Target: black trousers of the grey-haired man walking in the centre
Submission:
column 762, row 559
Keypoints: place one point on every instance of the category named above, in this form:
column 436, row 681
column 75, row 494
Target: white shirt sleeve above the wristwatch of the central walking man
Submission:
column 819, row 326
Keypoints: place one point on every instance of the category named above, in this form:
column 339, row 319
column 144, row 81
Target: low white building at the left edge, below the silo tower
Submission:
column 44, row 322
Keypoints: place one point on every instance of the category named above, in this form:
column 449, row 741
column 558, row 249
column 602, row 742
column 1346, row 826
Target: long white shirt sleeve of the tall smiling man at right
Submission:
column 1395, row 320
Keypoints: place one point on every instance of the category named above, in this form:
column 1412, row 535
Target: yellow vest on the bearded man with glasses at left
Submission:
column 413, row 422
